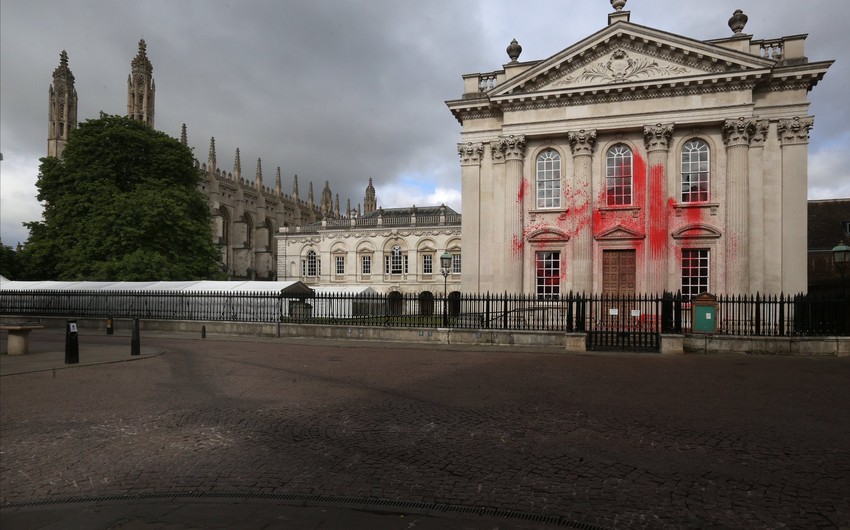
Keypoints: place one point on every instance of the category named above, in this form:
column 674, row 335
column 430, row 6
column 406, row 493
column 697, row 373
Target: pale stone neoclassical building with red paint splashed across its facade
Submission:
column 636, row 160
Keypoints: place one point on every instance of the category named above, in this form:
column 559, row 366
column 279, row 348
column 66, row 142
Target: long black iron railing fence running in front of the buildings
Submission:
column 757, row 315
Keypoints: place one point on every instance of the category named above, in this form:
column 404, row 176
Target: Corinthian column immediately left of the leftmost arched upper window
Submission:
column 513, row 148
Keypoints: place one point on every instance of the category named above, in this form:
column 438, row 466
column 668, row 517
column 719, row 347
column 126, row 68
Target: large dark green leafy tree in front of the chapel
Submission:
column 121, row 204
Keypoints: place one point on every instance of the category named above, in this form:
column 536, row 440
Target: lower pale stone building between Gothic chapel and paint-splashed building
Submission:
column 393, row 249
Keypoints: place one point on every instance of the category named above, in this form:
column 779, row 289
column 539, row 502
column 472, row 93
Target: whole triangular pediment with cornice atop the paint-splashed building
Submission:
column 626, row 55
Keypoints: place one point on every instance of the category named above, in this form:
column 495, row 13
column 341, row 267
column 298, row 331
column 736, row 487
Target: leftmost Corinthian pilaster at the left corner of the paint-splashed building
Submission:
column 470, row 166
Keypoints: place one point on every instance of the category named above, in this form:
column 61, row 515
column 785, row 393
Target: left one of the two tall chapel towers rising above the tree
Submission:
column 62, row 107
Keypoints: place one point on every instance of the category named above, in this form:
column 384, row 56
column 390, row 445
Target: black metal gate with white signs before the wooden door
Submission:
column 624, row 323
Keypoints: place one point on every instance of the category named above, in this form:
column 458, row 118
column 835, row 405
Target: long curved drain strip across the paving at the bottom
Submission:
column 307, row 499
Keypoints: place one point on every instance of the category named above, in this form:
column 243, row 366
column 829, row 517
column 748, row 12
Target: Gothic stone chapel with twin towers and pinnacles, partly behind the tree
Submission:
column 246, row 213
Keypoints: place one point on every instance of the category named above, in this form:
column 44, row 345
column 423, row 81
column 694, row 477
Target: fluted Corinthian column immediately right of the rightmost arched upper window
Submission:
column 736, row 136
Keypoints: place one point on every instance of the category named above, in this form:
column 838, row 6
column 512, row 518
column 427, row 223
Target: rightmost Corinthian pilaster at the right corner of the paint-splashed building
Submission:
column 794, row 138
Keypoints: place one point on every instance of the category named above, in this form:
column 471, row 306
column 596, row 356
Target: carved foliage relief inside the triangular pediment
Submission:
column 621, row 67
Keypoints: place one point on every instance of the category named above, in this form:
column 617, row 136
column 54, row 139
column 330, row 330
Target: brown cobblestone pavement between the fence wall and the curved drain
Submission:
column 615, row 441
